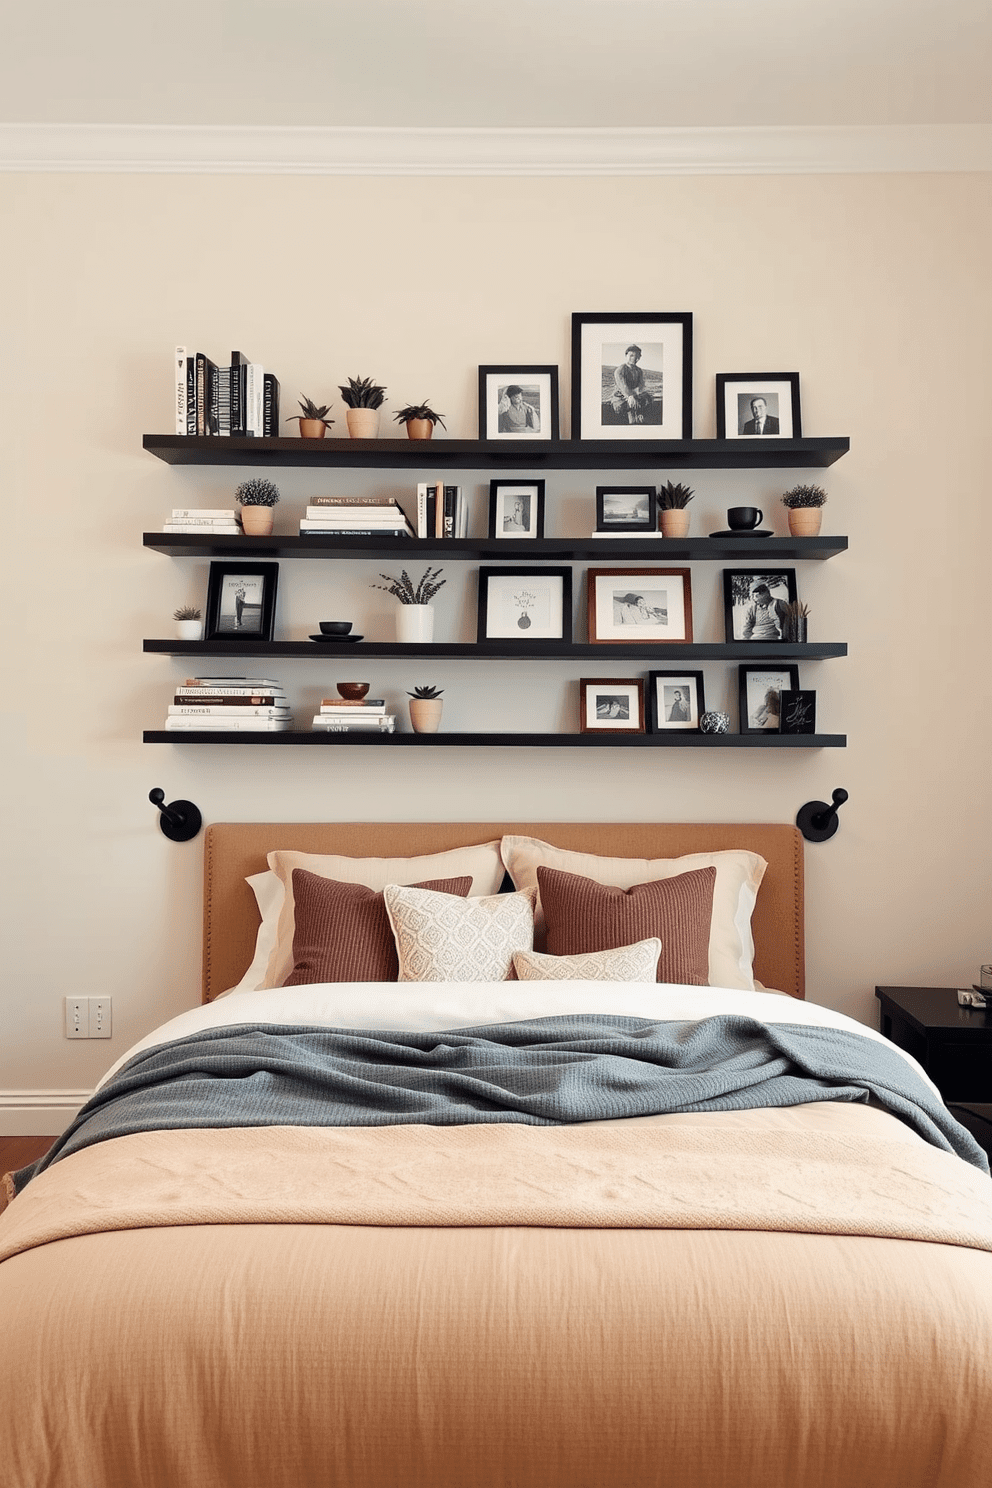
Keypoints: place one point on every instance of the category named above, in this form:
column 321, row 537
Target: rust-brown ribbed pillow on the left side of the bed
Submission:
column 343, row 931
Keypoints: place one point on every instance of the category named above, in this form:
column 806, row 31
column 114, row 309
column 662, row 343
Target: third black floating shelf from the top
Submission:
column 508, row 651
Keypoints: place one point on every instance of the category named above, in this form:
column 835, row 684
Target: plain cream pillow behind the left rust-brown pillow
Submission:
column 481, row 862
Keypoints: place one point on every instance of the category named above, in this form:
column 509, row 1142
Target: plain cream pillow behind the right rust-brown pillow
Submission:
column 735, row 891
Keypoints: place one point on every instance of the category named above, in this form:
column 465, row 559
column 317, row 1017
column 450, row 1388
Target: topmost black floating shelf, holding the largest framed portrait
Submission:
column 521, row 455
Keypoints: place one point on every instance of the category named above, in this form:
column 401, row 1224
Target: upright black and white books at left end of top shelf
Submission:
column 237, row 400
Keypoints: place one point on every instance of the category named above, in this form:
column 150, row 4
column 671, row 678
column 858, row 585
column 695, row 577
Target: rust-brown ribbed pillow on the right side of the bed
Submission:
column 584, row 916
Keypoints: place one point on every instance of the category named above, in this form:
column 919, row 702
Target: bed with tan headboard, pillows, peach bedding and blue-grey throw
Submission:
column 535, row 1266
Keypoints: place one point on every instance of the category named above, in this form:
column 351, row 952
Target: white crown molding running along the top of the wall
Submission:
column 282, row 151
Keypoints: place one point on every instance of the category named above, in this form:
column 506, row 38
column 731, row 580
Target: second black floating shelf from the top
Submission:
column 563, row 550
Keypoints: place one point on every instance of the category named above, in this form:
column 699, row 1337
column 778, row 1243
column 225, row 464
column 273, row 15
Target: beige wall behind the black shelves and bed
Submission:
column 874, row 288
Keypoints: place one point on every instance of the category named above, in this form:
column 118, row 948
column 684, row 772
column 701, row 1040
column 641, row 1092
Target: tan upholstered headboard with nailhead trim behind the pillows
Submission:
column 237, row 849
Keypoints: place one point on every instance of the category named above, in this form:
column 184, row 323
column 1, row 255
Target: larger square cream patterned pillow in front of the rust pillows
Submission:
column 445, row 940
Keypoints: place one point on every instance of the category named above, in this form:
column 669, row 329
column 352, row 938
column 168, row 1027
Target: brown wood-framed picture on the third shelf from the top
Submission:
column 640, row 605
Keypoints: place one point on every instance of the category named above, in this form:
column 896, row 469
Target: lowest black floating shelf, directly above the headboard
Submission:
column 505, row 740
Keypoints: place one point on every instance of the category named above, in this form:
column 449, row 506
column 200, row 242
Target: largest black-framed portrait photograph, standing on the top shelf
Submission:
column 631, row 376
